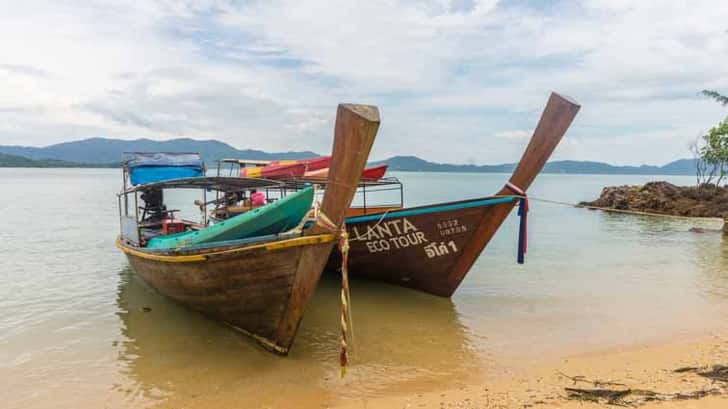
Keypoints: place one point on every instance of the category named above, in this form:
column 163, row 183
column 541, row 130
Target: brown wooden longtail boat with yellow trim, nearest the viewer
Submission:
column 260, row 286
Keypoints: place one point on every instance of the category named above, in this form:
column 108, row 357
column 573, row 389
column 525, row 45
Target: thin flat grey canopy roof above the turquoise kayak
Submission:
column 219, row 183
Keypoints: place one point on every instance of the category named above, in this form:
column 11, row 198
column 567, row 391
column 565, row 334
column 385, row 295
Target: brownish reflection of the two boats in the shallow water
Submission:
column 404, row 342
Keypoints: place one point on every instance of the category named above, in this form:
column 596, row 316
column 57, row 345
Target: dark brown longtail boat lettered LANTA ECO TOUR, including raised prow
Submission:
column 432, row 248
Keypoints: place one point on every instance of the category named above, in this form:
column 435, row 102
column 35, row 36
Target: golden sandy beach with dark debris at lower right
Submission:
column 664, row 376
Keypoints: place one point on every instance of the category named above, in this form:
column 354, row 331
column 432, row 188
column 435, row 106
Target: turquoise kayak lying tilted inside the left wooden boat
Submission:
column 273, row 218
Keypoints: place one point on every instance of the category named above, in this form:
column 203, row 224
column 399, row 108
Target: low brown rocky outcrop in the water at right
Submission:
column 666, row 198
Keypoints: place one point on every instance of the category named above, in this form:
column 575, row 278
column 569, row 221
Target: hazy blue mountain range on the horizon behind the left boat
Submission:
column 106, row 151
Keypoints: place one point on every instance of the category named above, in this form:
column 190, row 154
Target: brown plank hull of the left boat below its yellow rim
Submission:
column 246, row 288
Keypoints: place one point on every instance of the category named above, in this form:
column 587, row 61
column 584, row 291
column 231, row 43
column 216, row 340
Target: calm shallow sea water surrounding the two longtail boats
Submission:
column 79, row 329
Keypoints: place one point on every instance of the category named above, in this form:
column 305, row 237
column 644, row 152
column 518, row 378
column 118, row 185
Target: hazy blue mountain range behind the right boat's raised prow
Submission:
column 415, row 164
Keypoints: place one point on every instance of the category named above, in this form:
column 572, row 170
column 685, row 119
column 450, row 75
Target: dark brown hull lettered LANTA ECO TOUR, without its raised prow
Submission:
column 417, row 247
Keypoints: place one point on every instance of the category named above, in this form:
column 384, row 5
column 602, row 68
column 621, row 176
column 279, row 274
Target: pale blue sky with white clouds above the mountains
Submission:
column 458, row 81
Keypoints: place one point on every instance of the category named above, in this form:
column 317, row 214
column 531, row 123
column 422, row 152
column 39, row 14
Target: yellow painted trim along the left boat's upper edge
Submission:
column 192, row 258
